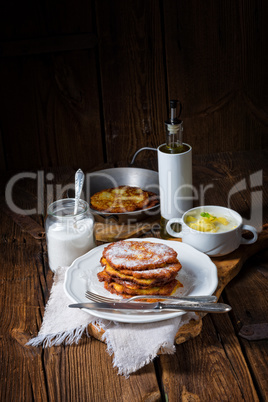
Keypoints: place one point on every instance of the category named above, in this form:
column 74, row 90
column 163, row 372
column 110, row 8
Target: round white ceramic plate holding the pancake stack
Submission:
column 198, row 276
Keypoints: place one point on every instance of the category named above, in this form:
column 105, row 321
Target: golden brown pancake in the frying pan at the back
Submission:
column 122, row 199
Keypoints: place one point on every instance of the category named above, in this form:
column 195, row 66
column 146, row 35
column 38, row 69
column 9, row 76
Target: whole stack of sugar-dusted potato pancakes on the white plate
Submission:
column 134, row 268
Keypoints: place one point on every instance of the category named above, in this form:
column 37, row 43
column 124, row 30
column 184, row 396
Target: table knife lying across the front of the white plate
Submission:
column 158, row 306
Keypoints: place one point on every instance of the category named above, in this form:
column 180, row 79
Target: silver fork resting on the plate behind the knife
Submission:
column 98, row 299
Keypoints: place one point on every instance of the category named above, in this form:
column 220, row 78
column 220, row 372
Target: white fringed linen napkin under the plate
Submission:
column 133, row 345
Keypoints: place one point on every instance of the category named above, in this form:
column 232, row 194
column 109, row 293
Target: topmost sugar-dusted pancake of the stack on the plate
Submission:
column 138, row 255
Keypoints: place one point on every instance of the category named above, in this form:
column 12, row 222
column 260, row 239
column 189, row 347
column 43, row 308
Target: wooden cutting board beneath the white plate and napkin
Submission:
column 228, row 267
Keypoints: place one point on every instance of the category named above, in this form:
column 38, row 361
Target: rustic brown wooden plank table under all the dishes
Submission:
column 218, row 365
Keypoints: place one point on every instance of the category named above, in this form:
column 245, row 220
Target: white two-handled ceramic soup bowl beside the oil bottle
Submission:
column 214, row 244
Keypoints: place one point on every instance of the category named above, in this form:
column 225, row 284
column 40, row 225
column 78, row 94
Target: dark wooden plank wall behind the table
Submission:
column 87, row 82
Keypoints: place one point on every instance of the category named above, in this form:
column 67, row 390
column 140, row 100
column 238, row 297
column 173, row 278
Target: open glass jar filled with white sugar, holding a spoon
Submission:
column 68, row 236
